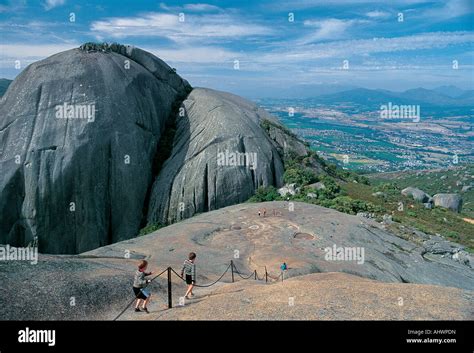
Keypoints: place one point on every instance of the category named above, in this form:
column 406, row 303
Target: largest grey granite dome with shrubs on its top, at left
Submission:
column 78, row 135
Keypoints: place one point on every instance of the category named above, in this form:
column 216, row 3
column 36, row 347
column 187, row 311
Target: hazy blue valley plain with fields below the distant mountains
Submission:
column 358, row 138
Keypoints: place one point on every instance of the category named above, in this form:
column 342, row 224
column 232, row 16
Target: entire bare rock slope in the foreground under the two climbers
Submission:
column 397, row 279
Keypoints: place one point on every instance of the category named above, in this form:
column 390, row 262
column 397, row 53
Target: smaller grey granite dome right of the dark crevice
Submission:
column 221, row 155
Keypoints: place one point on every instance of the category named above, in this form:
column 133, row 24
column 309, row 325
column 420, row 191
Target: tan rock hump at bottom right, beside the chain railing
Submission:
column 323, row 296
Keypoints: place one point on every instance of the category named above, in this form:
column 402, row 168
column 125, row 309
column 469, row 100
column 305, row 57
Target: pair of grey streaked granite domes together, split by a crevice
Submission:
column 83, row 137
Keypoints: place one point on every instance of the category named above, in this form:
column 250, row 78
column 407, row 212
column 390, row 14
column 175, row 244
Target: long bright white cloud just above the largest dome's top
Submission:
column 169, row 26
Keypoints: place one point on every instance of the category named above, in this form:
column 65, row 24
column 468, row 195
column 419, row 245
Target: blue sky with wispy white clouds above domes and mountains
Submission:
column 395, row 44
